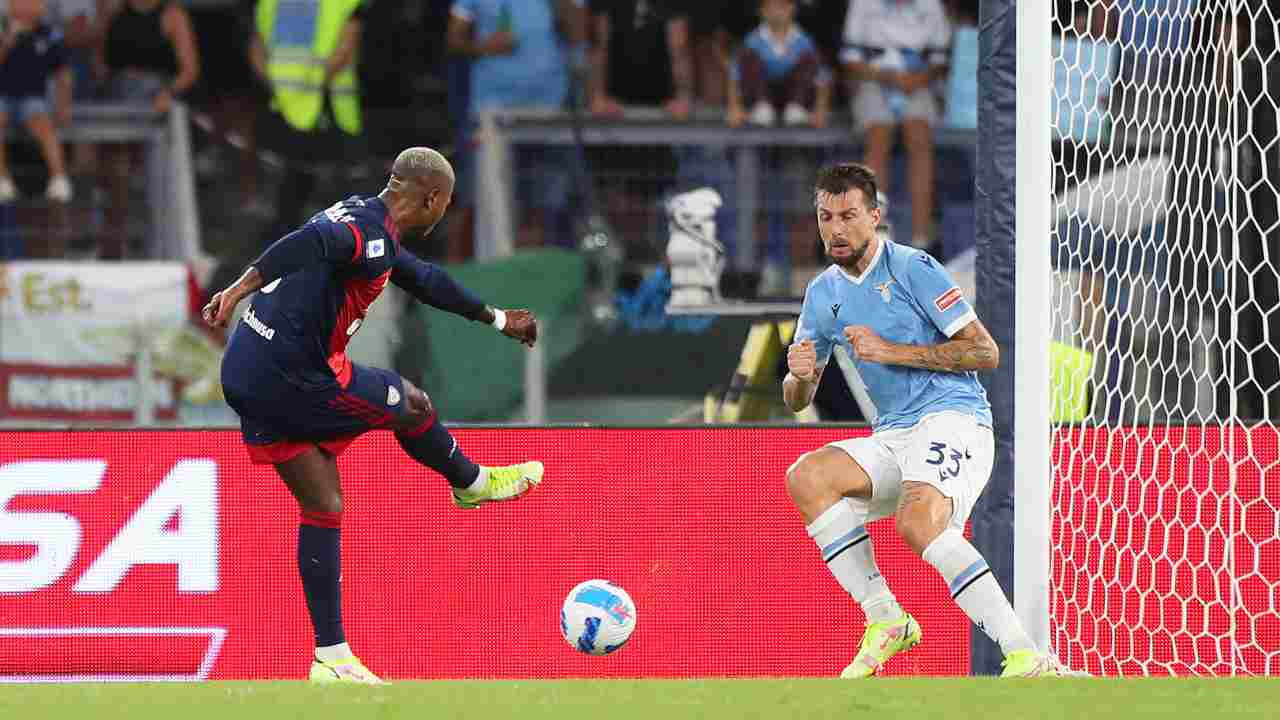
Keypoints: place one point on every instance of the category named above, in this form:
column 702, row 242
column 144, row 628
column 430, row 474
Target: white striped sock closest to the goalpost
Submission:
column 976, row 591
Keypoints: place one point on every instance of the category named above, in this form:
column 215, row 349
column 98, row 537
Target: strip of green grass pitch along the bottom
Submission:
column 918, row 699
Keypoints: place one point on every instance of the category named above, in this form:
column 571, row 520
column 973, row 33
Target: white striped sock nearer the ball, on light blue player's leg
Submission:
column 842, row 535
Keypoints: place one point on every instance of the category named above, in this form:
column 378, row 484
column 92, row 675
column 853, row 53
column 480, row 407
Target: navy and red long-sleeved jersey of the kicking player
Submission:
column 319, row 282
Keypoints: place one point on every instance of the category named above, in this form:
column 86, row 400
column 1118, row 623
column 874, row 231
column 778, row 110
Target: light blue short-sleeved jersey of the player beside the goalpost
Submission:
column 909, row 299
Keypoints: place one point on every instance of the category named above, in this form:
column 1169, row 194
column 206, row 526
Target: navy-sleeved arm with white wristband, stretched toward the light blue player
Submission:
column 432, row 286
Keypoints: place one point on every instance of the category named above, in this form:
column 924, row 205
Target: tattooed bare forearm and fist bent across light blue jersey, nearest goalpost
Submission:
column 970, row 349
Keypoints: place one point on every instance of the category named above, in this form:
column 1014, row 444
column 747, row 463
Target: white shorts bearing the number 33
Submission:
column 947, row 450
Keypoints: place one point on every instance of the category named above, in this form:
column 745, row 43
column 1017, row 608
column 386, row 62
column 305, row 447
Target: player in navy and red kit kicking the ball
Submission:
column 301, row 400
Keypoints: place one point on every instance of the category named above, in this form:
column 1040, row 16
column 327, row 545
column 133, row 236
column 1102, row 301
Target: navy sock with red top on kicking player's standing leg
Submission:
column 321, row 567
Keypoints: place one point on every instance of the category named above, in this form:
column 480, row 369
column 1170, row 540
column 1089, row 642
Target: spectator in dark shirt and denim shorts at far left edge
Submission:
column 31, row 53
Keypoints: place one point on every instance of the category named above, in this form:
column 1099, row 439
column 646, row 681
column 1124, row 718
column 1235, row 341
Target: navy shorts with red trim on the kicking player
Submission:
column 281, row 423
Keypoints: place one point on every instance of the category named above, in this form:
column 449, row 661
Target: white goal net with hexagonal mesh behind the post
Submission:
column 1167, row 358
